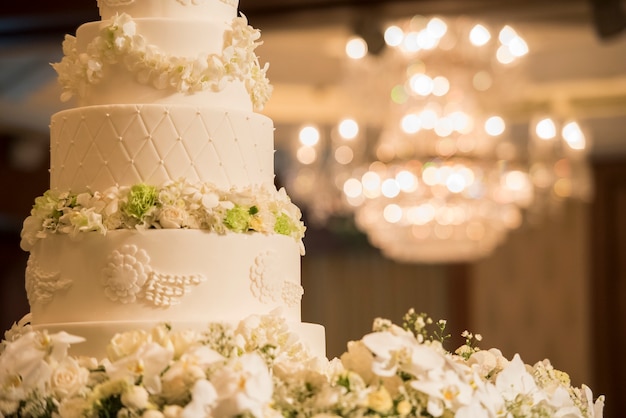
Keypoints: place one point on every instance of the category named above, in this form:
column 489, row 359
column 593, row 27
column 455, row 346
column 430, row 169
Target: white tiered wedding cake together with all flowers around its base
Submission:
column 164, row 268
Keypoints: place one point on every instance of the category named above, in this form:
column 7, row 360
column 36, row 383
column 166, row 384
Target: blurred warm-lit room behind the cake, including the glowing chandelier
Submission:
column 466, row 158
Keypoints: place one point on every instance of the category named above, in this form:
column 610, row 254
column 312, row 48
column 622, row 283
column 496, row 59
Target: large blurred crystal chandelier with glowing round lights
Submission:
column 443, row 177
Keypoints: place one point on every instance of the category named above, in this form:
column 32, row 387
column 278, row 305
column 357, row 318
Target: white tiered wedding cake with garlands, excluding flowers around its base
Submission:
column 162, row 205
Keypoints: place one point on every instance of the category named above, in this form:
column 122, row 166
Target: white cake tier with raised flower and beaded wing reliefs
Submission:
column 162, row 275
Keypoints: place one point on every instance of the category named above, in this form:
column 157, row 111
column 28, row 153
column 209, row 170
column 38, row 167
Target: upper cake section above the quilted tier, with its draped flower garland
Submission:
column 189, row 52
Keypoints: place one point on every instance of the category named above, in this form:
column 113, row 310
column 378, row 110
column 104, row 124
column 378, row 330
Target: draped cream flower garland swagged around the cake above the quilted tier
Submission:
column 119, row 42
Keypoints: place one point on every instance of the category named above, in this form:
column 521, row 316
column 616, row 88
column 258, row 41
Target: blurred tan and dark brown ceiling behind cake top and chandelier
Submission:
column 577, row 61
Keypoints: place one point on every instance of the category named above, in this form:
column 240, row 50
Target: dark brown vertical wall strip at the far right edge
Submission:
column 608, row 283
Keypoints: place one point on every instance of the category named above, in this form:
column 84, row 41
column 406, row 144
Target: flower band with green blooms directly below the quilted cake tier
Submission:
column 176, row 204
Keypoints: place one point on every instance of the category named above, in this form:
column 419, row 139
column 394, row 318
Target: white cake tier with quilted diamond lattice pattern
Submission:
column 97, row 147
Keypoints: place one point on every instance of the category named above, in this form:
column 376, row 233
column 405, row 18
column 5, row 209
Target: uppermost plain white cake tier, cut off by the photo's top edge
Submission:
column 188, row 9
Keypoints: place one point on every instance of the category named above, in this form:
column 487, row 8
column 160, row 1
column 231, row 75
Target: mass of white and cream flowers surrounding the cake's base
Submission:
column 261, row 369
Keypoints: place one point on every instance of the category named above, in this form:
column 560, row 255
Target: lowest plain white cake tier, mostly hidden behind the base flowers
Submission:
column 99, row 334
